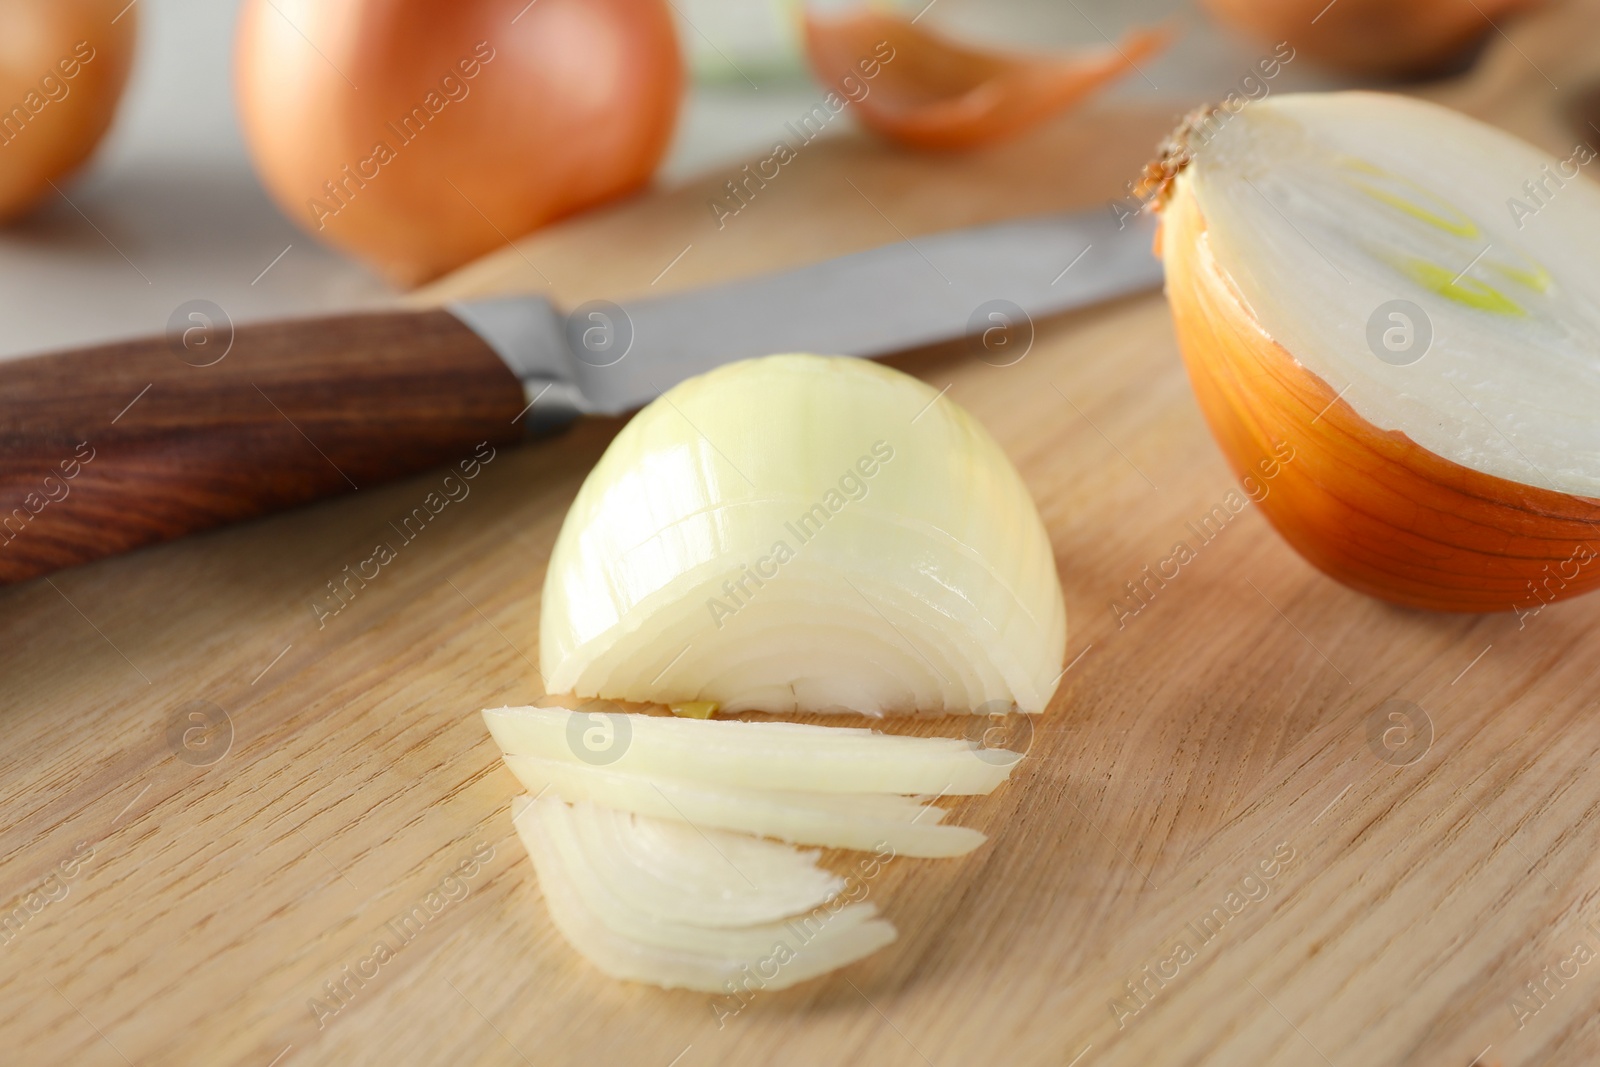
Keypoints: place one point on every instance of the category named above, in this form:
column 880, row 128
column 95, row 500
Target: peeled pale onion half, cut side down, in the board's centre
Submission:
column 806, row 533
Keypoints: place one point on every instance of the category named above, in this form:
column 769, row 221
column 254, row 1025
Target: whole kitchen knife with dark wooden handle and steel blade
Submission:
column 122, row 446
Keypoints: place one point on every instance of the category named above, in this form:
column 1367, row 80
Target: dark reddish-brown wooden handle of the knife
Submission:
column 122, row 446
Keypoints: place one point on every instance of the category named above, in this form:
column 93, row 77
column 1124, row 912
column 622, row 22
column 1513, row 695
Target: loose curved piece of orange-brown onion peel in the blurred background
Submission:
column 935, row 94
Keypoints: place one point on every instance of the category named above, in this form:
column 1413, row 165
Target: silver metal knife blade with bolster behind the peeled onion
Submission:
column 609, row 359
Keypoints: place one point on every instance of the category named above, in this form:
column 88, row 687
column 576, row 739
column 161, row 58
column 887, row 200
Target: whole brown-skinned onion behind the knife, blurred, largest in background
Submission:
column 420, row 135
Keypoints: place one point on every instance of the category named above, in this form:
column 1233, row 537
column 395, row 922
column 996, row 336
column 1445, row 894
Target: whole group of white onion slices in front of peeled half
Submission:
column 650, row 850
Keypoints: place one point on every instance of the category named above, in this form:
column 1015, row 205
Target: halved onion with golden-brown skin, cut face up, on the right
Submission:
column 1462, row 479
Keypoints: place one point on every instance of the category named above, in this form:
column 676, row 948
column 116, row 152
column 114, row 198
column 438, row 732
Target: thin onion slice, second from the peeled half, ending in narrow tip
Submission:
column 862, row 821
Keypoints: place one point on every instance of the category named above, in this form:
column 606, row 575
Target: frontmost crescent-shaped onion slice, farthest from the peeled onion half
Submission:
column 625, row 941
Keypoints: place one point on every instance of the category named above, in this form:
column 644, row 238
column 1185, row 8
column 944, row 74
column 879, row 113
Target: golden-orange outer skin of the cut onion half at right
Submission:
column 1370, row 508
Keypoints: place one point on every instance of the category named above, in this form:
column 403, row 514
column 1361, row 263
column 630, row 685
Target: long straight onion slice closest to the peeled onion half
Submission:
column 759, row 756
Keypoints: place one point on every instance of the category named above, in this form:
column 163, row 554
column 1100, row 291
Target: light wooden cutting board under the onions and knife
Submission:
column 1218, row 772
